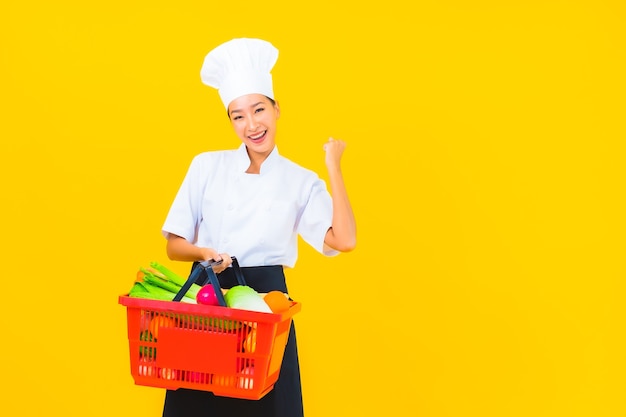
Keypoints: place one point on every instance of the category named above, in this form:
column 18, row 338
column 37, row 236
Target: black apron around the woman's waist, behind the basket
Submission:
column 284, row 400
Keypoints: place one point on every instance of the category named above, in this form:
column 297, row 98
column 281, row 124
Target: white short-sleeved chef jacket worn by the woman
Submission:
column 255, row 217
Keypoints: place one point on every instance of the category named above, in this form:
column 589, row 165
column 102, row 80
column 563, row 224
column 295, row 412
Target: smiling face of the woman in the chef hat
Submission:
column 254, row 117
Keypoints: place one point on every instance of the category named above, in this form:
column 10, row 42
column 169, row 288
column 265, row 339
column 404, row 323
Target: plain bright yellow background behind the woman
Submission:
column 485, row 164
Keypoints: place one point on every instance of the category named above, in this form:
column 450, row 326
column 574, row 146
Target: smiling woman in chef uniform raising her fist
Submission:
column 253, row 203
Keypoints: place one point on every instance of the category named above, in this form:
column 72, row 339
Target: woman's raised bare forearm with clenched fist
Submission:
column 342, row 234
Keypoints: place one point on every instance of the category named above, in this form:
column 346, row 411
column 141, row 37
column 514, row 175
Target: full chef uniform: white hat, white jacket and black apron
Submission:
column 254, row 217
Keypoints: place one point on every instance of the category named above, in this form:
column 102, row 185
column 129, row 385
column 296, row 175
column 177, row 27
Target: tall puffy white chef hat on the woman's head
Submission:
column 240, row 66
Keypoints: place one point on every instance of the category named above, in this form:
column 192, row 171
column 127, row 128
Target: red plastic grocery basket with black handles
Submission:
column 228, row 351
